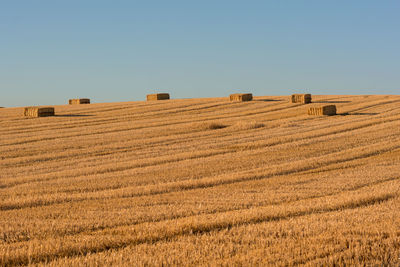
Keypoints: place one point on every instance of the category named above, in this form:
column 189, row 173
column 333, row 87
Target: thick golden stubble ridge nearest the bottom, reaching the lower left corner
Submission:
column 155, row 232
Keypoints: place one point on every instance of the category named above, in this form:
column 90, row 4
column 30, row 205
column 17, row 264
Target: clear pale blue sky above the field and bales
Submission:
column 110, row 51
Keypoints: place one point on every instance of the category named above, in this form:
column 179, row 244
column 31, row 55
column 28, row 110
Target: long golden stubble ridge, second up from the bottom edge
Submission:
column 208, row 182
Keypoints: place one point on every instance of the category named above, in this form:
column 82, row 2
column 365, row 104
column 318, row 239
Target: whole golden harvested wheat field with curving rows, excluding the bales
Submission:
column 202, row 182
